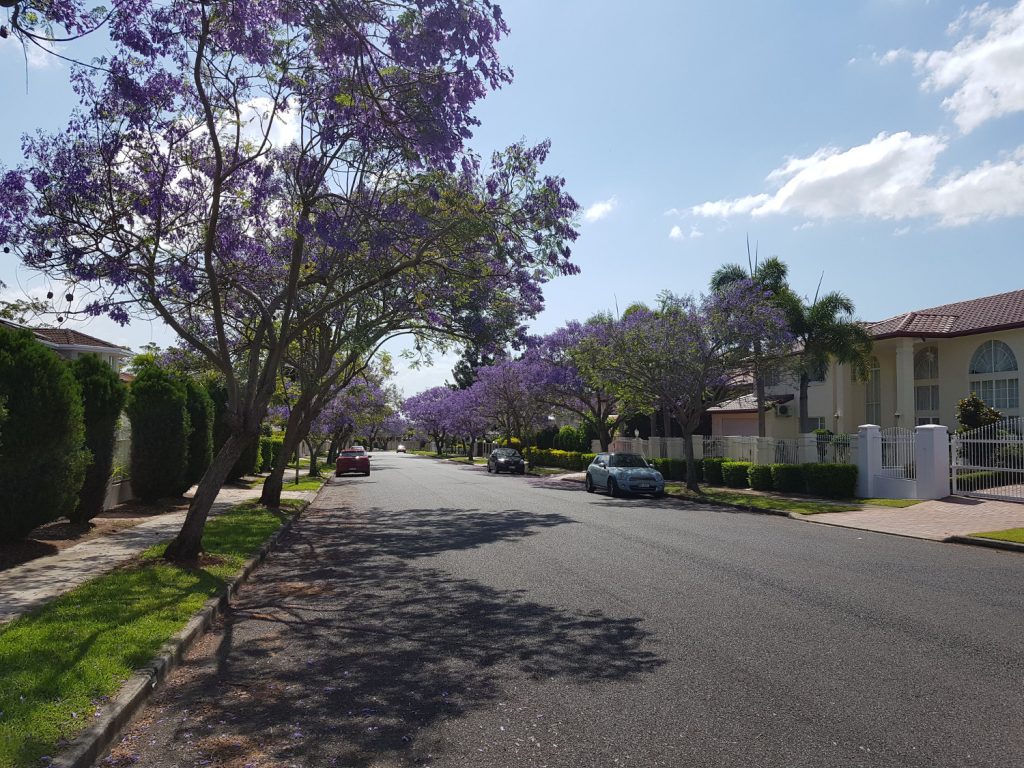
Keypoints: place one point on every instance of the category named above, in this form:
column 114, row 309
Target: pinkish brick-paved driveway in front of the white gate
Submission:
column 955, row 516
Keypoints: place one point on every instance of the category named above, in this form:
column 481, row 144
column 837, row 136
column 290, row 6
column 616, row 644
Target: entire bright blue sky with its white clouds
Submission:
column 877, row 144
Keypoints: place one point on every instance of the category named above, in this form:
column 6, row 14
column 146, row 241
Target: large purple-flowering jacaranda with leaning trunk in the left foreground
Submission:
column 232, row 162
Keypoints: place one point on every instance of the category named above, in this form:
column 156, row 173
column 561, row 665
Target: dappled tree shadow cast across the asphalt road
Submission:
column 345, row 649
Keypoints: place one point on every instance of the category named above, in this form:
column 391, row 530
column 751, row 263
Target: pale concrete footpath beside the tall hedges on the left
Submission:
column 26, row 587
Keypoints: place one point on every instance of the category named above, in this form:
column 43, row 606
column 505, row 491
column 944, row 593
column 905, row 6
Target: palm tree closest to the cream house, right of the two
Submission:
column 825, row 330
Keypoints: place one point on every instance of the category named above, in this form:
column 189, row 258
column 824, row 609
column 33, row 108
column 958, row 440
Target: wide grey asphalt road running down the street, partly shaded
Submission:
column 436, row 616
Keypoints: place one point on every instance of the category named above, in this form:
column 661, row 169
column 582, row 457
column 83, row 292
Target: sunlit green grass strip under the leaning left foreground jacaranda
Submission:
column 59, row 664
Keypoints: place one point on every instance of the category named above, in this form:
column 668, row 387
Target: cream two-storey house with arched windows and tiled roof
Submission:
column 924, row 363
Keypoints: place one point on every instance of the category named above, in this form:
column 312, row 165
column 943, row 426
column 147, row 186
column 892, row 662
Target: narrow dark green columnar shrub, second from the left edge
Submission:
column 103, row 401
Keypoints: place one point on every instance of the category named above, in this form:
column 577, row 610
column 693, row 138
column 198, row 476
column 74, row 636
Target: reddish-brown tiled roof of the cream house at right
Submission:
column 961, row 319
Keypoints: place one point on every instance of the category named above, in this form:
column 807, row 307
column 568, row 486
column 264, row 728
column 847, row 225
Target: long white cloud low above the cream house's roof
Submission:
column 891, row 178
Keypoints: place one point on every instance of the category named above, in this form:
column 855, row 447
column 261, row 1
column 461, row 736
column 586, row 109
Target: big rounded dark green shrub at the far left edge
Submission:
column 42, row 459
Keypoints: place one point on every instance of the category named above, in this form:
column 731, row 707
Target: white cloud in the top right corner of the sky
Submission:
column 984, row 69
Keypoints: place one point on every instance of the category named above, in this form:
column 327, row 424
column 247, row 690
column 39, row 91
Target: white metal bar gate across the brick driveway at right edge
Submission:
column 989, row 462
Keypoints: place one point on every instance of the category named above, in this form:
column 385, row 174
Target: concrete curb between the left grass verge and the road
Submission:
column 120, row 711
